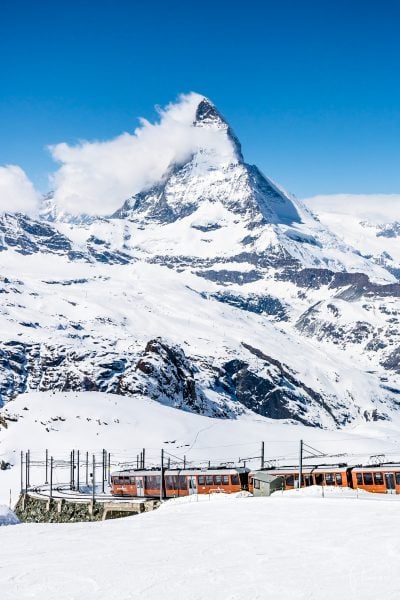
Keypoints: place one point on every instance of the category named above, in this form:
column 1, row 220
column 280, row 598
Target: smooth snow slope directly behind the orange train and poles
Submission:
column 91, row 421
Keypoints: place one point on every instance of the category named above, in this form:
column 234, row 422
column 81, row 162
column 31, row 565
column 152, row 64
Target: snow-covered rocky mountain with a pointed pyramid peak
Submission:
column 213, row 291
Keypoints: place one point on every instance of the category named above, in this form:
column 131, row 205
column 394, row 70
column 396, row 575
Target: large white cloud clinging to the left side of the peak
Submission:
column 97, row 177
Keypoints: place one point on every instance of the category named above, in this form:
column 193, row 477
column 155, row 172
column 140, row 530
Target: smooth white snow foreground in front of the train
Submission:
column 292, row 548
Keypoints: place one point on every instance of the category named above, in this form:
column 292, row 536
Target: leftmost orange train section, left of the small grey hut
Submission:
column 178, row 482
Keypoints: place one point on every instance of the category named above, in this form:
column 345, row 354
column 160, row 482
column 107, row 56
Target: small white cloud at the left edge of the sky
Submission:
column 17, row 193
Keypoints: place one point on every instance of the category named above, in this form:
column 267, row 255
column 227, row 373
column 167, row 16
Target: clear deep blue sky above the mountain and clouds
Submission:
column 311, row 88
